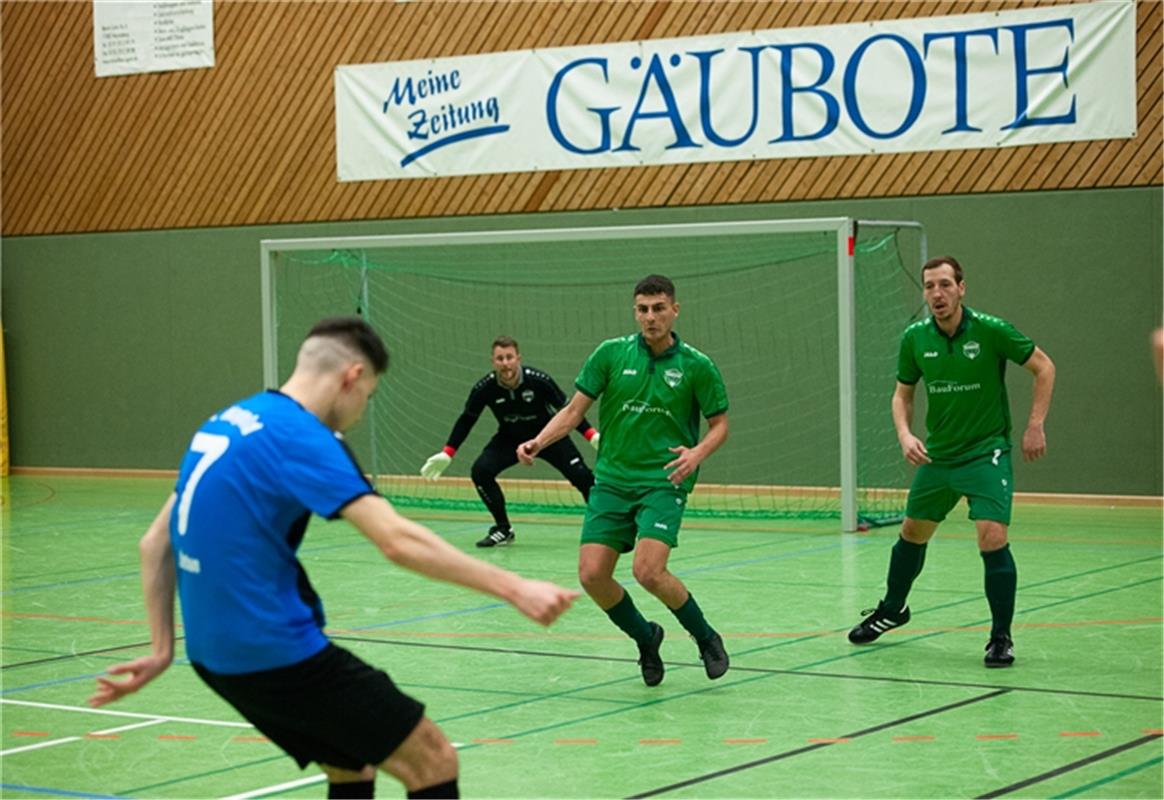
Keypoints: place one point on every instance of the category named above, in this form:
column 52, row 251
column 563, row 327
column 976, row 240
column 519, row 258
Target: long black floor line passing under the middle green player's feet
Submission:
column 835, row 676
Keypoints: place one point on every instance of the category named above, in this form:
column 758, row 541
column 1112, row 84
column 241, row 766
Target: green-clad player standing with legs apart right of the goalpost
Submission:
column 961, row 355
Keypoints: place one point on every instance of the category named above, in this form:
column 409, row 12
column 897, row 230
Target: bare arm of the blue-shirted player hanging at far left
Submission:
column 159, row 583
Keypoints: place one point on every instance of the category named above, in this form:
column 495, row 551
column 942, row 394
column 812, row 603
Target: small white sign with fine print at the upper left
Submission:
column 134, row 37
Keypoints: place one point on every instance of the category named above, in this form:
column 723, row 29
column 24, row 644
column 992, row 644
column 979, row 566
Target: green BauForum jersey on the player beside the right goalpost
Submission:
column 968, row 414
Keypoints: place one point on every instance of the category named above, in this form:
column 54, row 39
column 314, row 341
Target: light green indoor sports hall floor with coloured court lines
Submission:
column 563, row 713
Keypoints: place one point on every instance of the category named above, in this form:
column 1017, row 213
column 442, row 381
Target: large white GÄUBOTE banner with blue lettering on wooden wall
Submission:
column 977, row 81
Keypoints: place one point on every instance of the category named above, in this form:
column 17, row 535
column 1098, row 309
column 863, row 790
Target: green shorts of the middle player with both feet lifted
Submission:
column 619, row 516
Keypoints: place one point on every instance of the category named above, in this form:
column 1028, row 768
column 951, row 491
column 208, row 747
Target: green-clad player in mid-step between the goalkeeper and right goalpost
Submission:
column 655, row 390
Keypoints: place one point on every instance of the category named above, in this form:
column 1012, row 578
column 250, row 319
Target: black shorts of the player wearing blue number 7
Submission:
column 331, row 709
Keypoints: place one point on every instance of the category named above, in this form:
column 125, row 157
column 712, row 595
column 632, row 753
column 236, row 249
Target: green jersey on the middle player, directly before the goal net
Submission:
column 649, row 405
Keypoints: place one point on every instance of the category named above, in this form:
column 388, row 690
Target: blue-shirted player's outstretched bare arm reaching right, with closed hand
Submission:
column 416, row 548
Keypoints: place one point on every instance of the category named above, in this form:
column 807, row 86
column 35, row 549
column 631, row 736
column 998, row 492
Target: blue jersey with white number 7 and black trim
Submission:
column 247, row 487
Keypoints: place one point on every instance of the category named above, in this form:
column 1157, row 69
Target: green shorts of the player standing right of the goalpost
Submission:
column 986, row 483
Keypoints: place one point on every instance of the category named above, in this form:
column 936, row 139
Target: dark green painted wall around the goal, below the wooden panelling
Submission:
column 119, row 344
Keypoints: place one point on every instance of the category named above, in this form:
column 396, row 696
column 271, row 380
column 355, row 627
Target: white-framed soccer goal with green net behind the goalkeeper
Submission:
column 803, row 316
